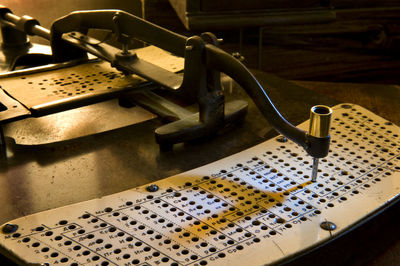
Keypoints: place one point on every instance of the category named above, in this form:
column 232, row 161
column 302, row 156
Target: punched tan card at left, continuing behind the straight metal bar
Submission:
column 54, row 86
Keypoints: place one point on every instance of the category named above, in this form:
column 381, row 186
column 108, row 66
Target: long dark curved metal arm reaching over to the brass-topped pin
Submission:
column 215, row 58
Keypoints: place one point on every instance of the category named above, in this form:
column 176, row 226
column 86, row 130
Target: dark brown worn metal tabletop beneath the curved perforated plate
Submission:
column 41, row 177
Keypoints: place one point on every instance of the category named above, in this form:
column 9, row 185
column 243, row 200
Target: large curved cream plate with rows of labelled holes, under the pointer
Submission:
column 254, row 207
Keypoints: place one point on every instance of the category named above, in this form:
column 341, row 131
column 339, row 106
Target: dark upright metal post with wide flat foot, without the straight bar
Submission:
column 203, row 85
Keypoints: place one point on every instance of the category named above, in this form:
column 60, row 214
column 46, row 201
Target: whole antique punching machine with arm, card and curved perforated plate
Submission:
column 89, row 184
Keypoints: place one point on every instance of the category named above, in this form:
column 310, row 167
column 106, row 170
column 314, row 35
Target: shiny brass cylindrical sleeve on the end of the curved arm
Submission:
column 320, row 121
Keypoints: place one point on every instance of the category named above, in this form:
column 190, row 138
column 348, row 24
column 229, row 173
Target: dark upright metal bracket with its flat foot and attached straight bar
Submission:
column 199, row 84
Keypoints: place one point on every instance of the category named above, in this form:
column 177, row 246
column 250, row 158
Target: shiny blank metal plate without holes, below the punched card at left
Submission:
column 75, row 123
